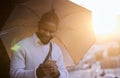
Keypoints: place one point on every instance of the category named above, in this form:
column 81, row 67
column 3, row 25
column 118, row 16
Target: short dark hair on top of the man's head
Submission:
column 50, row 16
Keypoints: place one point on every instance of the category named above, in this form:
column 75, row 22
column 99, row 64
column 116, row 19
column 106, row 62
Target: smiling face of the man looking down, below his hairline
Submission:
column 46, row 31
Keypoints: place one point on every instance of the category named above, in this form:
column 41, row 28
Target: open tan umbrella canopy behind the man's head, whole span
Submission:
column 75, row 29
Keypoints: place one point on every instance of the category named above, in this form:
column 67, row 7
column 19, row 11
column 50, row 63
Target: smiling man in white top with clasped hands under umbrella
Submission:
column 28, row 59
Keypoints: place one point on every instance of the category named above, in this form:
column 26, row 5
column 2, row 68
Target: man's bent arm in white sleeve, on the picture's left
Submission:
column 17, row 67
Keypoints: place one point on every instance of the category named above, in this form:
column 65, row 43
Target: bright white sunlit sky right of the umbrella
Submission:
column 104, row 16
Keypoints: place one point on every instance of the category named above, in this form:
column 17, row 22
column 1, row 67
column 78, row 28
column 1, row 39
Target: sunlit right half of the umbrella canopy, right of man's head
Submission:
column 75, row 29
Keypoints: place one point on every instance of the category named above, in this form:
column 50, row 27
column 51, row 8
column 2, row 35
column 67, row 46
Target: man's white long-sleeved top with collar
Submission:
column 29, row 54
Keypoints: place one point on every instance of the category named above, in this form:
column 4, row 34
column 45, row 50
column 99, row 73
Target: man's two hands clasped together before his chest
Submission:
column 48, row 69
